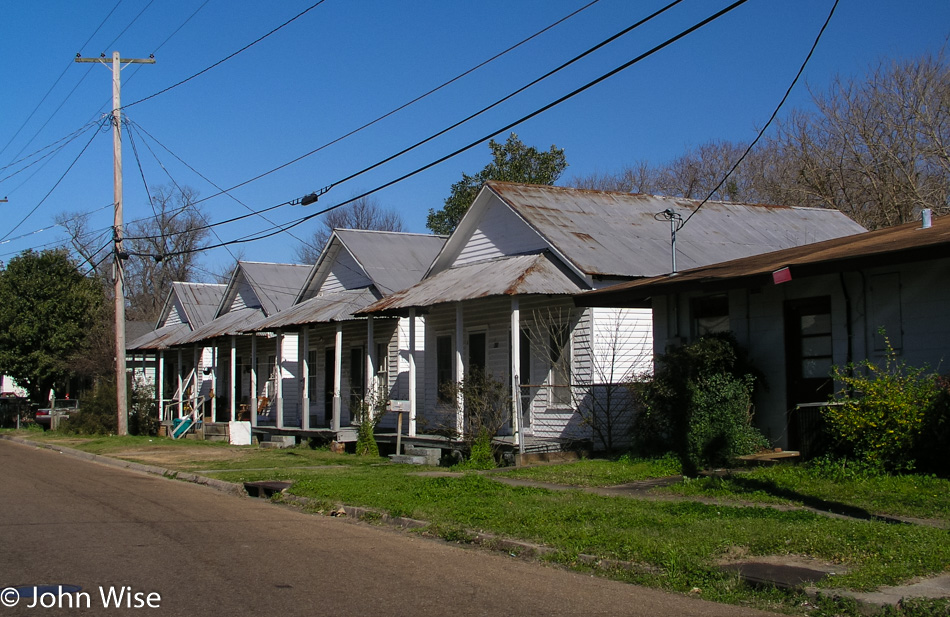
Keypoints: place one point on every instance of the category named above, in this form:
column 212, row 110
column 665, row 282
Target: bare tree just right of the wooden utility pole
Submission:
column 166, row 249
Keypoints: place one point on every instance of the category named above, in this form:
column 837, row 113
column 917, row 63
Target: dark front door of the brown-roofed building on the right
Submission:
column 808, row 360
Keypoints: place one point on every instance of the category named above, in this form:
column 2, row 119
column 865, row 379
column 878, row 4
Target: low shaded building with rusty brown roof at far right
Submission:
column 802, row 310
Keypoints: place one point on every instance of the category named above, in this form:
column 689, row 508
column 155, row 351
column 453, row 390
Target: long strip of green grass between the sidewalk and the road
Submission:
column 682, row 540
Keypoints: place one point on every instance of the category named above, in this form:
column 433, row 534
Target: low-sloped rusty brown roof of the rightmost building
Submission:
column 904, row 243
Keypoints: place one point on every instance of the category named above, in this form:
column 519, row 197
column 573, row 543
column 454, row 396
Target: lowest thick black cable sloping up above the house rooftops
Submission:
column 573, row 93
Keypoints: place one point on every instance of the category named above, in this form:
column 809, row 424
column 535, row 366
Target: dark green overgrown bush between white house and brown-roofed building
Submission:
column 698, row 404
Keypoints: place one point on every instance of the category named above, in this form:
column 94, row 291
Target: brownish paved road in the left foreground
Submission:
column 64, row 520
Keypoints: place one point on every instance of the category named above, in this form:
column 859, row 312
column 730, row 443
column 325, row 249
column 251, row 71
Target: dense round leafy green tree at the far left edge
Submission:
column 46, row 308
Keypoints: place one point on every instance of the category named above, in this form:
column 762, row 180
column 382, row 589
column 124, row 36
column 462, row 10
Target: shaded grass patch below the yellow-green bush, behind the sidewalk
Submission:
column 915, row 496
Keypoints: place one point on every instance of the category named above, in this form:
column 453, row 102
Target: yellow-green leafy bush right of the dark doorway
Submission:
column 882, row 412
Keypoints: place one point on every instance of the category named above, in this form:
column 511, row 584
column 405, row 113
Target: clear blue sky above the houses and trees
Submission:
column 347, row 62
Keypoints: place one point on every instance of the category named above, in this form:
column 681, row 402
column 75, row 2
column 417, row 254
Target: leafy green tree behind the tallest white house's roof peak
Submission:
column 512, row 161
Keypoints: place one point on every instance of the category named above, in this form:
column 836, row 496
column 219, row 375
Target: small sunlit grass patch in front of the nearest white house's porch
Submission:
column 599, row 472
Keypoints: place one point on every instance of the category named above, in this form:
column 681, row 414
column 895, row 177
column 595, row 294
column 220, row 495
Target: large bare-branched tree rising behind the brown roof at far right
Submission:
column 877, row 149
